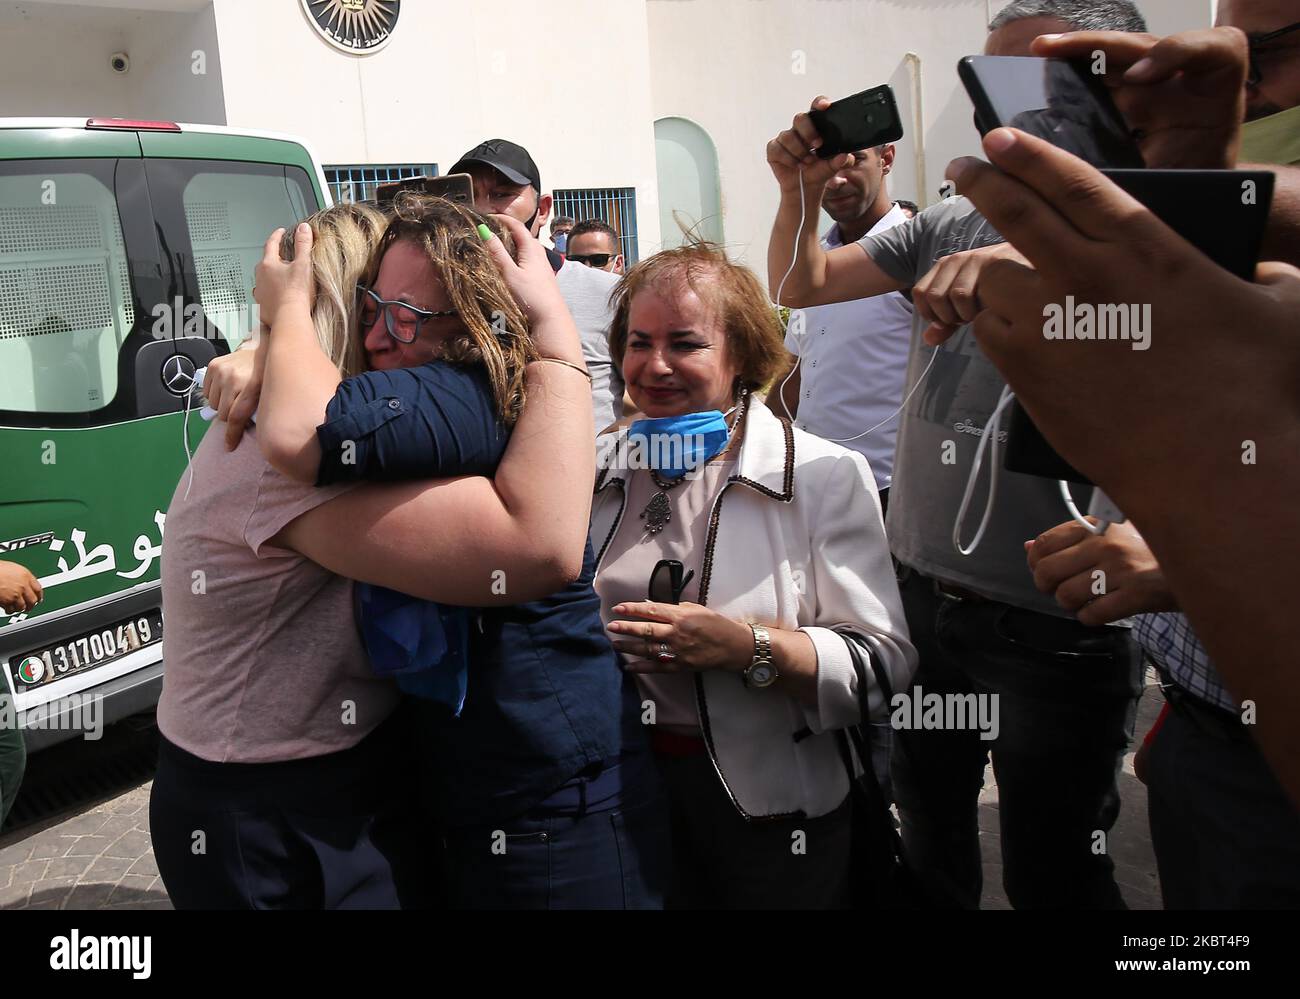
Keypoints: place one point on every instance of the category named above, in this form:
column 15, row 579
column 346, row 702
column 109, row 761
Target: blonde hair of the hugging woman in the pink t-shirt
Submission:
column 345, row 240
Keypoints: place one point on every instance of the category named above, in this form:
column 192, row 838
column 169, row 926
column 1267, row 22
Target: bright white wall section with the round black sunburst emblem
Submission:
column 567, row 80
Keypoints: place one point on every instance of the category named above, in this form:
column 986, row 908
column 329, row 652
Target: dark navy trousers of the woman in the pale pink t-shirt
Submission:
column 335, row 832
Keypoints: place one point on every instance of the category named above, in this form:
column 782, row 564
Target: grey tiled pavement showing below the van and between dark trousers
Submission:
column 102, row 859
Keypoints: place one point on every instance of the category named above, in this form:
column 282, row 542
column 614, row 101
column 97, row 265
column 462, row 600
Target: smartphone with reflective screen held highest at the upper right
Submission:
column 1061, row 102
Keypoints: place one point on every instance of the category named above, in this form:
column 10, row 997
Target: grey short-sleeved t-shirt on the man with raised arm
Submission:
column 955, row 405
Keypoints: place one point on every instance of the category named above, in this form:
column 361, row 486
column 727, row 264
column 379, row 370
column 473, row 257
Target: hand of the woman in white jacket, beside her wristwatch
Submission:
column 697, row 638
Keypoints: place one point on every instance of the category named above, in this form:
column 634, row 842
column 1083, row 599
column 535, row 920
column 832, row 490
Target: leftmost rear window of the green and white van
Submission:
column 66, row 293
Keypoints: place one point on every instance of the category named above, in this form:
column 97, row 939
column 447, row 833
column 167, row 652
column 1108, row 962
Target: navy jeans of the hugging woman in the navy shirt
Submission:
column 600, row 842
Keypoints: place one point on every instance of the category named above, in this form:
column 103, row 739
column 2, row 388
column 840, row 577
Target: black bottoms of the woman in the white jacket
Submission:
column 722, row 862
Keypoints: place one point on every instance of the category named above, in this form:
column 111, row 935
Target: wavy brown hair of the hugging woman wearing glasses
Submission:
column 497, row 334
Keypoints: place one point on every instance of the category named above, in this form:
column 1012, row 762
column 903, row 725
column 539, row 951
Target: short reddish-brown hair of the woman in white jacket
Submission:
column 731, row 292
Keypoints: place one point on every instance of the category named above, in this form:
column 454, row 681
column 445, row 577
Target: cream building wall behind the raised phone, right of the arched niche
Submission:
column 743, row 68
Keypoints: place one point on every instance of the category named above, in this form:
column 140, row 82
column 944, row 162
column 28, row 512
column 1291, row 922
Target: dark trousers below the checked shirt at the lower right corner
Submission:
column 1225, row 833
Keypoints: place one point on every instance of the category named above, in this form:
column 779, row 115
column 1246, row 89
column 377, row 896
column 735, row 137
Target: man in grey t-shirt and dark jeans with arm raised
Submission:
column 1065, row 693
